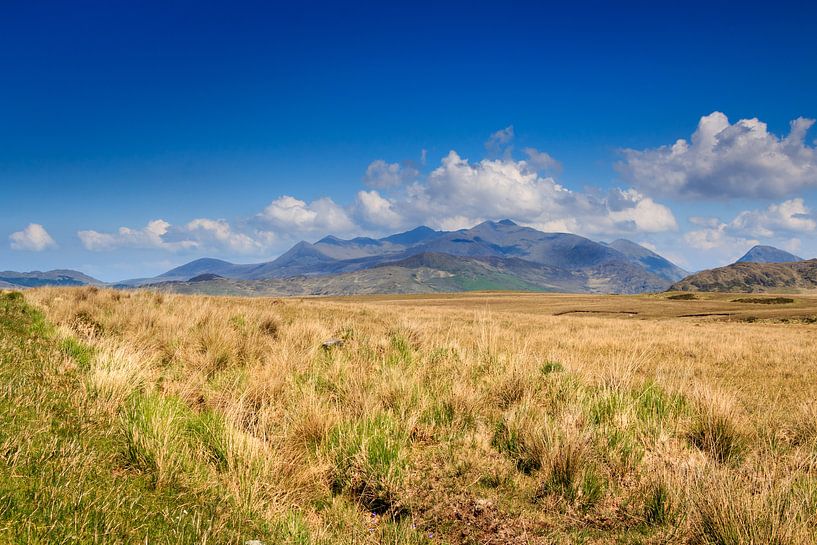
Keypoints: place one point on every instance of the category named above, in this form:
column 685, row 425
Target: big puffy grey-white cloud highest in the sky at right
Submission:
column 727, row 160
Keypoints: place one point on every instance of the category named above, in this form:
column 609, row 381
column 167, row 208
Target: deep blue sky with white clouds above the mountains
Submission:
column 138, row 136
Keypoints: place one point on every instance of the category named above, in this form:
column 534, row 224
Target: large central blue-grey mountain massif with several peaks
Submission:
column 501, row 254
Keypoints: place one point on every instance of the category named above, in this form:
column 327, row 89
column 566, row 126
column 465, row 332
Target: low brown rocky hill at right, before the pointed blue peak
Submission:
column 754, row 277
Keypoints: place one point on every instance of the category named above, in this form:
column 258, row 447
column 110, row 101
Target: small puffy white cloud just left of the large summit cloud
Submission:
column 294, row 216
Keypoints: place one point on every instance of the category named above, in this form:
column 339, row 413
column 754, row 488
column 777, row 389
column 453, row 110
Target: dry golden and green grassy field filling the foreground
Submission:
column 133, row 417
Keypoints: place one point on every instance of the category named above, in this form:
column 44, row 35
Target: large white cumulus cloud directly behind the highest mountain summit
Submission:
column 459, row 194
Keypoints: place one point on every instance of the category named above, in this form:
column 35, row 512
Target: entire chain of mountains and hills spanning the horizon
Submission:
column 494, row 255
